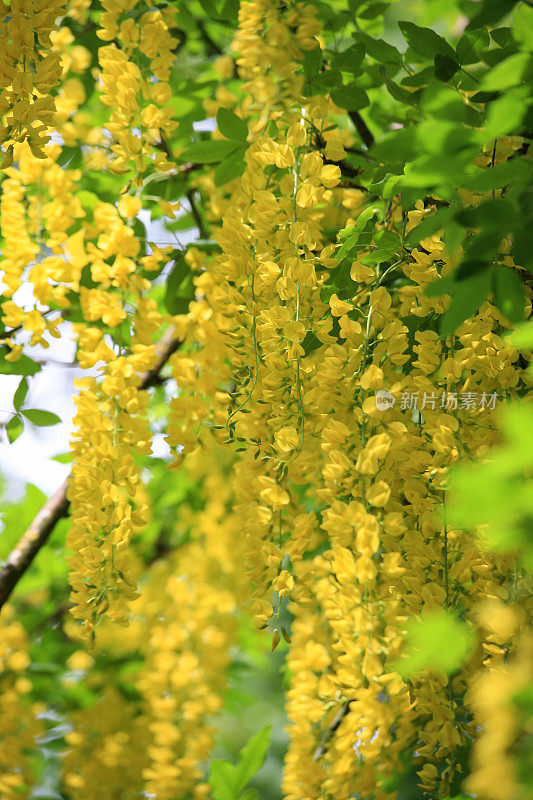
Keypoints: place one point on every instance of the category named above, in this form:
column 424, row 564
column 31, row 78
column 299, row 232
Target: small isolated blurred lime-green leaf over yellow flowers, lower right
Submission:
column 436, row 640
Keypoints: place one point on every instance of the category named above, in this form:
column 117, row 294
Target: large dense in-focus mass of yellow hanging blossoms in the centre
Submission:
column 348, row 414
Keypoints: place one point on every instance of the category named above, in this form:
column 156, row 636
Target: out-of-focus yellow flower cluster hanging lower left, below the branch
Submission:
column 184, row 624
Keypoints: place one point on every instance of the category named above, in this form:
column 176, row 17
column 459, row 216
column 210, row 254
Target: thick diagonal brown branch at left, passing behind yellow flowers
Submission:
column 57, row 506
